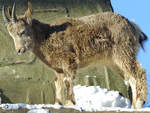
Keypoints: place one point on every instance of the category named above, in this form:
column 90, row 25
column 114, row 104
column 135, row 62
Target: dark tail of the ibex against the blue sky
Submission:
column 142, row 36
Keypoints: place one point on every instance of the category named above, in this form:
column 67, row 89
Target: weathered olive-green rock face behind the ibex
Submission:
column 25, row 79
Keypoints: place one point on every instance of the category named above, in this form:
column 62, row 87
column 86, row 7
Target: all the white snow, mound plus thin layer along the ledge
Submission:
column 91, row 98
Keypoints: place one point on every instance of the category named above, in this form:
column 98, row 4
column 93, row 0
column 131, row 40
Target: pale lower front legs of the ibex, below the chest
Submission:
column 64, row 88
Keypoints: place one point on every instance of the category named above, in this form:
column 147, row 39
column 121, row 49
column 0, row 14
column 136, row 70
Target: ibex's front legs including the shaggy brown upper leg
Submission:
column 65, row 80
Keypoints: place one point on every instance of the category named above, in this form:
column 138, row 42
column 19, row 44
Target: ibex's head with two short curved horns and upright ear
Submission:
column 20, row 29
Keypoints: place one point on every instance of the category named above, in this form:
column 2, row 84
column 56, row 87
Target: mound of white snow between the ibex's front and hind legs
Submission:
column 94, row 98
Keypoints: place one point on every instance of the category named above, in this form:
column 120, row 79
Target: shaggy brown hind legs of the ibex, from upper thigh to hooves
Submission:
column 136, row 76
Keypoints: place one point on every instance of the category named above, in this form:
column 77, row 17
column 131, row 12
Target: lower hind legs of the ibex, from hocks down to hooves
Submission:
column 138, row 86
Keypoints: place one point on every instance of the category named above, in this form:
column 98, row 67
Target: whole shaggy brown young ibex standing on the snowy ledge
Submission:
column 71, row 43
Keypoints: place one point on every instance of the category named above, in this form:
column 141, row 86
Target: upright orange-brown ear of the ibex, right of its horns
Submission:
column 28, row 13
